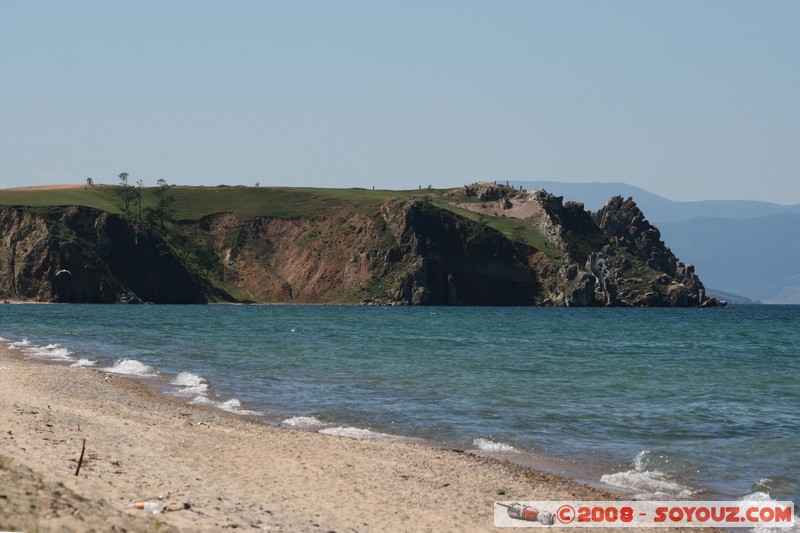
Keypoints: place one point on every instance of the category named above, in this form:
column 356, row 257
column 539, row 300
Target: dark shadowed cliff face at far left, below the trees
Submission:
column 78, row 254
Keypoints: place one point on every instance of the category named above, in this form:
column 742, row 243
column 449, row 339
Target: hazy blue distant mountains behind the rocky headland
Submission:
column 739, row 247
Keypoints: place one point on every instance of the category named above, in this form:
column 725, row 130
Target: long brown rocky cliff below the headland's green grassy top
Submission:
column 419, row 251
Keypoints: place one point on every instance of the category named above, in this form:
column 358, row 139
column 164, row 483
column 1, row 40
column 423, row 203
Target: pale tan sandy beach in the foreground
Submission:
column 216, row 471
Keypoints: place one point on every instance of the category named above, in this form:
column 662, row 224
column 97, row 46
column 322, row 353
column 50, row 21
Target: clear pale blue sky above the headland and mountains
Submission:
column 691, row 100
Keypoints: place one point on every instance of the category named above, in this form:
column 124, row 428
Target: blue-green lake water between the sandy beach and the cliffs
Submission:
column 666, row 402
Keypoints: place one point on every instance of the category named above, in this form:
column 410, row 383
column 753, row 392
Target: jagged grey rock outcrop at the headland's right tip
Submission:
column 614, row 258
